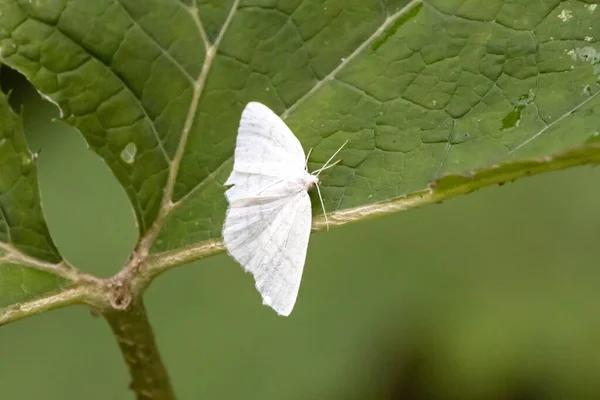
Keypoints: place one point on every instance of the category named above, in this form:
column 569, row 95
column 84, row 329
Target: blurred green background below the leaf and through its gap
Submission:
column 493, row 295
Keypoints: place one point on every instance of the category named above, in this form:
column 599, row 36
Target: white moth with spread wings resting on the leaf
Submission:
column 269, row 217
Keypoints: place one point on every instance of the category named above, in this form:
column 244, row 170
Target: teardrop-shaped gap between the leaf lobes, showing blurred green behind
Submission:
column 87, row 211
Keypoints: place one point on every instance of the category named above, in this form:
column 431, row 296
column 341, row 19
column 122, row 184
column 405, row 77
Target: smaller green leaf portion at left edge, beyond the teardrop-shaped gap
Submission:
column 25, row 241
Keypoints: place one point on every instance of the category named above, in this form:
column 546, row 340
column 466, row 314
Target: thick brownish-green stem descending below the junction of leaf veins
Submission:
column 149, row 378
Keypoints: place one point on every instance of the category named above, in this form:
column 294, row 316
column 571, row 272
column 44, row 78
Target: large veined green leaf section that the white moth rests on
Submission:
column 421, row 89
